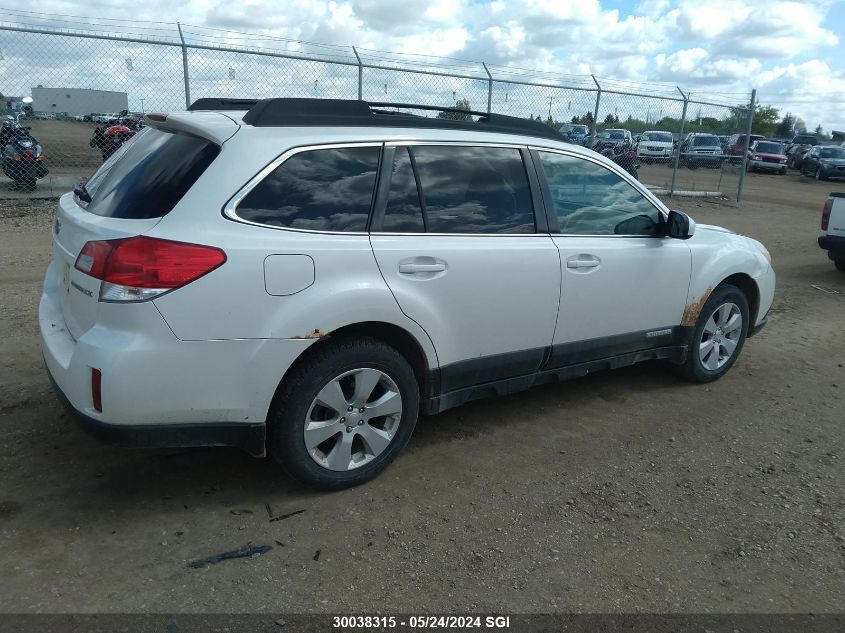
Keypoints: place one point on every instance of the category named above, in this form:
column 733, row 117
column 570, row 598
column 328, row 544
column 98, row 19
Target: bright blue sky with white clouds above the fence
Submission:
column 792, row 52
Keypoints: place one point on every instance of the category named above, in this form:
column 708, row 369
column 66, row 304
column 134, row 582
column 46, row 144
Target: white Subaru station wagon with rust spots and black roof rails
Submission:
column 305, row 277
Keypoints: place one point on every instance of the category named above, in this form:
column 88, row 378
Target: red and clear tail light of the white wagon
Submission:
column 142, row 268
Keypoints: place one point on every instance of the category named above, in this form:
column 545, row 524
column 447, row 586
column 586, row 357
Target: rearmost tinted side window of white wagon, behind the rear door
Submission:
column 319, row 190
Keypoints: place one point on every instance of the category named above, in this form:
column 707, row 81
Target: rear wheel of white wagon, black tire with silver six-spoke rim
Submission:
column 344, row 414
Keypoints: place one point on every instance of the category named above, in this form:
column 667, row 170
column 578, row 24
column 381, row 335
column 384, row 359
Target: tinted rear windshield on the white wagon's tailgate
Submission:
column 149, row 174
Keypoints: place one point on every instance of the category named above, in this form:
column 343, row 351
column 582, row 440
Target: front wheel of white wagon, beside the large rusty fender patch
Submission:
column 718, row 336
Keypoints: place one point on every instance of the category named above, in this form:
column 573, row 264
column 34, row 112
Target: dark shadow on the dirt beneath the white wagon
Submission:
column 124, row 479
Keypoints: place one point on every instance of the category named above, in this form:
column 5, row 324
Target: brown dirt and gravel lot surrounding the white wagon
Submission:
column 626, row 491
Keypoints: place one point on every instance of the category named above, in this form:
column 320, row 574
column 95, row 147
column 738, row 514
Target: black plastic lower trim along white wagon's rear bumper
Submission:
column 249, row 437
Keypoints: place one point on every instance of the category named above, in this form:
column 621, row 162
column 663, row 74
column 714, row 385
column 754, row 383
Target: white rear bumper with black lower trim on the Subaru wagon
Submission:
column 158, row 390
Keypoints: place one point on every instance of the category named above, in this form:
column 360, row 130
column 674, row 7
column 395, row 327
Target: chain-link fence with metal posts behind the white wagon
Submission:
column 80, row 80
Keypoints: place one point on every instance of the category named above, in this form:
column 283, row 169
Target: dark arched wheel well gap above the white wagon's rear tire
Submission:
column 392, row 335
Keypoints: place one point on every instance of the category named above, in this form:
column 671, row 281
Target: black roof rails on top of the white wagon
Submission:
column 347, row 112
